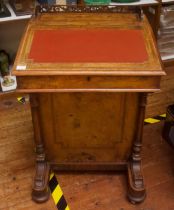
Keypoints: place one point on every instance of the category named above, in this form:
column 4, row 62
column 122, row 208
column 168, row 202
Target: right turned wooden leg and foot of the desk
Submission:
column 136, row 188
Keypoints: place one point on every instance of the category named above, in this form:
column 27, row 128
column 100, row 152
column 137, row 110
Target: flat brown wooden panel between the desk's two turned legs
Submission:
column 88, row 127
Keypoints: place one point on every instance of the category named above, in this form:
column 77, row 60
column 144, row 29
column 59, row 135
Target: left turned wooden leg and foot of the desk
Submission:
column 40, row 190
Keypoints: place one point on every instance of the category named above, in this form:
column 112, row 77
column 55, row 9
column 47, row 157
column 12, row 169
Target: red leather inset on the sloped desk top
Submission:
column 88, row 45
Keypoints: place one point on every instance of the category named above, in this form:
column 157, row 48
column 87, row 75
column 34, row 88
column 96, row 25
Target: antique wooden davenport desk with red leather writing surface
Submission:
column 88, row 75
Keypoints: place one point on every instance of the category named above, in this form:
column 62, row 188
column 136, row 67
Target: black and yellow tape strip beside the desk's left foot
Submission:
column 57, row 193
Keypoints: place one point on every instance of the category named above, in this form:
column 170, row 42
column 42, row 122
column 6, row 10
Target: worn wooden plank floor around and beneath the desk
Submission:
column 83, row 191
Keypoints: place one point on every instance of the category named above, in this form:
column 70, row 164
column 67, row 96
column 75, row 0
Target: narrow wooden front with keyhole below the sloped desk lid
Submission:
column 91, row 83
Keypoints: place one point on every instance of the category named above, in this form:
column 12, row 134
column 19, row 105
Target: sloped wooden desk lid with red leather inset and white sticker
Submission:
column 88, row 44
